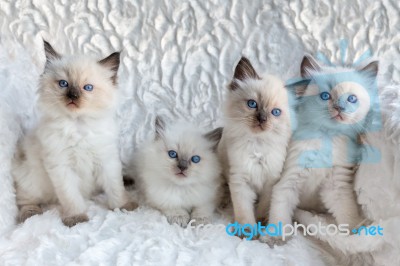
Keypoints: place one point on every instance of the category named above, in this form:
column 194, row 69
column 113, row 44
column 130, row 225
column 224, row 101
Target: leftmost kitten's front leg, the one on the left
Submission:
column 66, row 186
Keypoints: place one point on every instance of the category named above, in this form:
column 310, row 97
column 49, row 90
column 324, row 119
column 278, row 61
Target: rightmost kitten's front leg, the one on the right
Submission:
column 338, row 196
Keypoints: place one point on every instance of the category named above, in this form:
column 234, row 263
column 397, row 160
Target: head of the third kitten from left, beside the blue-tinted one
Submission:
column 258, row 104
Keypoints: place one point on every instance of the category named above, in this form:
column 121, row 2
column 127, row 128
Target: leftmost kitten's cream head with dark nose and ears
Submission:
column 77, row 85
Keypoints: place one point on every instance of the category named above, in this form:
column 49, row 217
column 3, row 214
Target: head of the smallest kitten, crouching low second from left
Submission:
column 184, row 155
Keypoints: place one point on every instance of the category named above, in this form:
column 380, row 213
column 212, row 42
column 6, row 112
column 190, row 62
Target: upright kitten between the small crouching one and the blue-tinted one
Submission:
column 254, row 142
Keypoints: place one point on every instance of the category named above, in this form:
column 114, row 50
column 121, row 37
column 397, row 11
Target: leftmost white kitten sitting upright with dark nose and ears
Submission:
column 74, row 149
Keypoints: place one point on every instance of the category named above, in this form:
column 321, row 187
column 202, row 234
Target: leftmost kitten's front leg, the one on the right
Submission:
column 113, row 185
